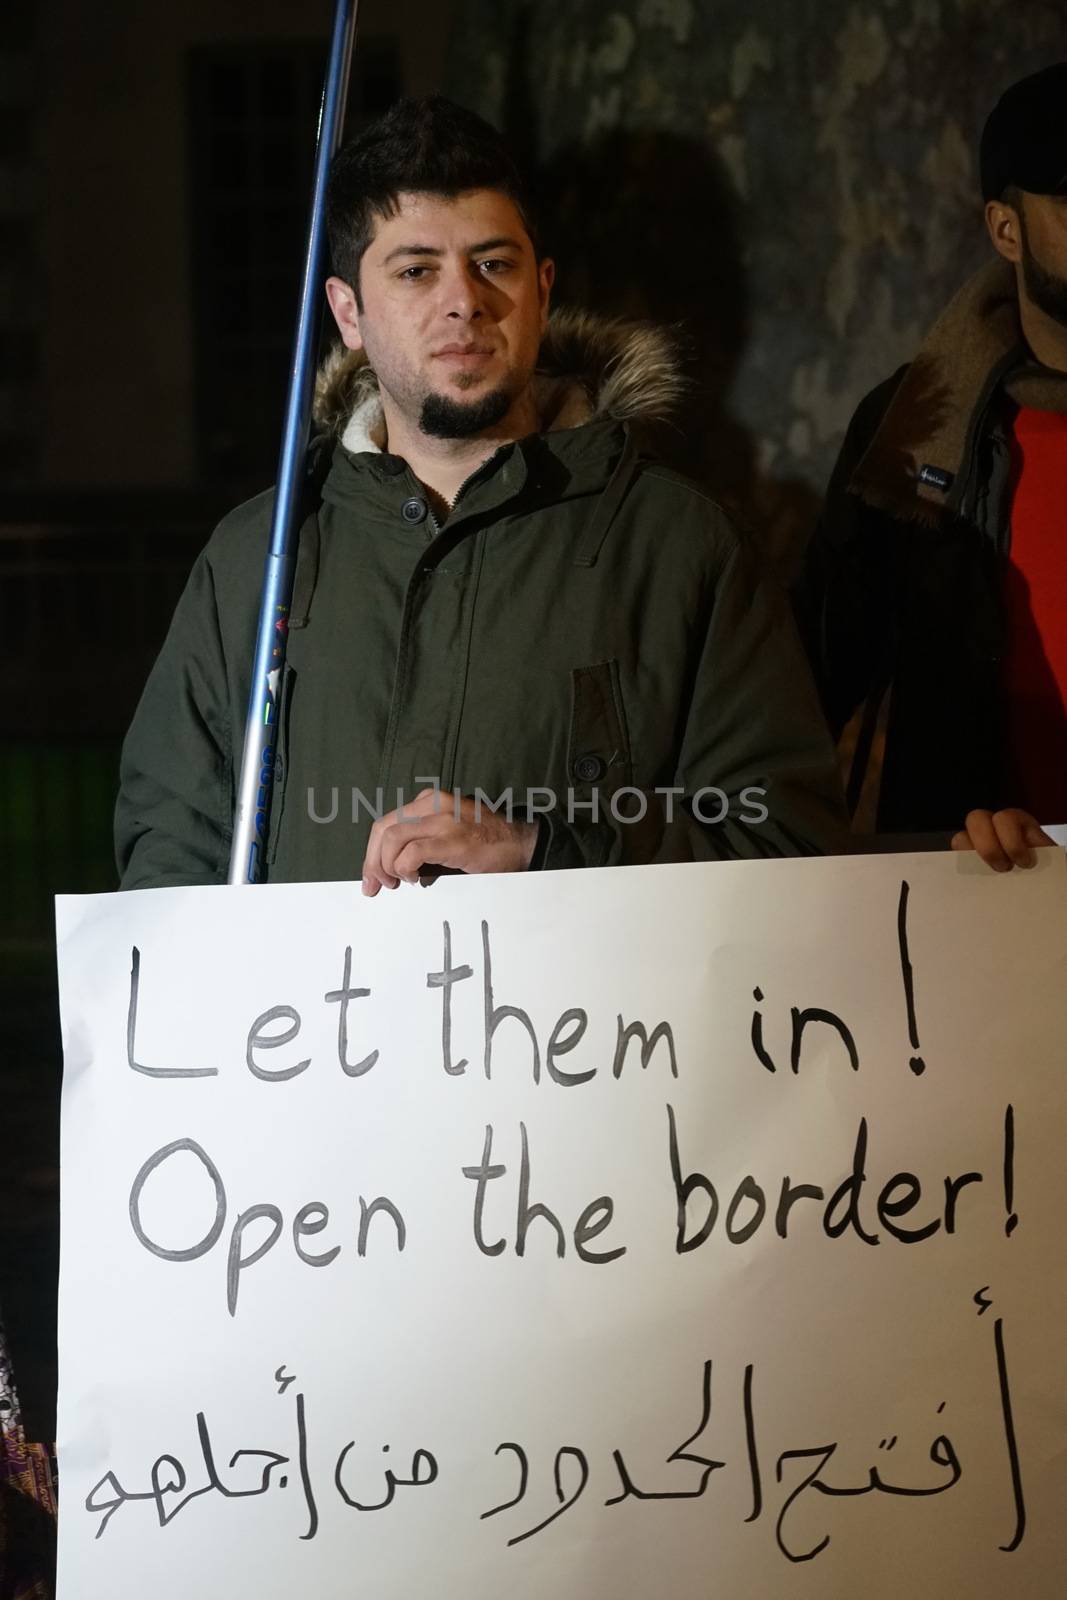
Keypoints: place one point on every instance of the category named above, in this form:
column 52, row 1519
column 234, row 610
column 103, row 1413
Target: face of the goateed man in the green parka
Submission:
column 455, row 305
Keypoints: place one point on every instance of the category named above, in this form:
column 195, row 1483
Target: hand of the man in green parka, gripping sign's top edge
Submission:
column 444, row 831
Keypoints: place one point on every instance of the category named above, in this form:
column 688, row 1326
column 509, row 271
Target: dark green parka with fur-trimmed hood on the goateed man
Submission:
column 585, row 622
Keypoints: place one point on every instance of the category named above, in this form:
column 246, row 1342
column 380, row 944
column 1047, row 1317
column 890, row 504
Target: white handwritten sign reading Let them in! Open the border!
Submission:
column 660, row 1231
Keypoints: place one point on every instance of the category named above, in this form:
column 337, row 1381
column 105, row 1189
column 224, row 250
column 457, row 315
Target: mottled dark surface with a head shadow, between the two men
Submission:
column 793, row 180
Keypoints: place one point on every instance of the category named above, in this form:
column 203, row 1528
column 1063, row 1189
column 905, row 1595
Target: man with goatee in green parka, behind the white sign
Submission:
column 516, row 641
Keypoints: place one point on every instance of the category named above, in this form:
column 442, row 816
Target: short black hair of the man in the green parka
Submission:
column 420, row 146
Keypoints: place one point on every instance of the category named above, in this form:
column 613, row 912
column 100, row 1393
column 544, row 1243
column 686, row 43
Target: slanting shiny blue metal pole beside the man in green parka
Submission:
column 257, row 775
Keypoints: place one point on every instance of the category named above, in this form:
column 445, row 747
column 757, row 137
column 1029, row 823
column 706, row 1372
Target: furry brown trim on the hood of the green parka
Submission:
column 589, row 369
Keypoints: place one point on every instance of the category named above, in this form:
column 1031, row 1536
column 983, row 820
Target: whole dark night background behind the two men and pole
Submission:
column 791, row 182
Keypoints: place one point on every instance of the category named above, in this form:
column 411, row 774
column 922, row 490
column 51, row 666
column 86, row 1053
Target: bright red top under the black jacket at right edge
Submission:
column 1036, row 602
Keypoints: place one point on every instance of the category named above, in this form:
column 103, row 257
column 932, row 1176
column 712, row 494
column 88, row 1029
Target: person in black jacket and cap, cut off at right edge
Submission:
column 935, row 593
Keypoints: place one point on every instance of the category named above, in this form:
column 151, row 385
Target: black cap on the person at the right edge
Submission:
column 1025, row 140
